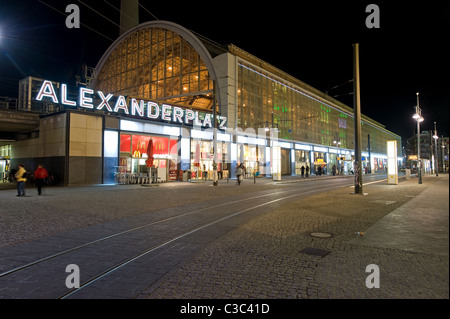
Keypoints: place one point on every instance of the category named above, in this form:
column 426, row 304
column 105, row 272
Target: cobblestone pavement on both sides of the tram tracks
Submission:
column 265, row 257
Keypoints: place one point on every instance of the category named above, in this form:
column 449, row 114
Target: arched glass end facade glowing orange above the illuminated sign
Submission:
column 159, row 65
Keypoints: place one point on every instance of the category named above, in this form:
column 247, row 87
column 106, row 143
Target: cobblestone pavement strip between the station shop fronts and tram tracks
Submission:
column 61, row 209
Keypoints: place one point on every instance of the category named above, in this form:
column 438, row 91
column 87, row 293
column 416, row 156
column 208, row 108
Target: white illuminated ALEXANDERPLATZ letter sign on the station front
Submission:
column 153, row 111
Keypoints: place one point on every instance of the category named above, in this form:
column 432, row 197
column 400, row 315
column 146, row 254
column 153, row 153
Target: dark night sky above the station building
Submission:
column 311, row 40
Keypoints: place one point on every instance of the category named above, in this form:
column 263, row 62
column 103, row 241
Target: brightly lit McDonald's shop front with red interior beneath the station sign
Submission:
column 179, row 153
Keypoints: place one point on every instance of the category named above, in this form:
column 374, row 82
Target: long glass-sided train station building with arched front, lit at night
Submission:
column 161, row 82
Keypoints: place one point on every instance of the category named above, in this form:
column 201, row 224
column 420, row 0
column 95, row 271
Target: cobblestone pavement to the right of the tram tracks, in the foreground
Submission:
column 263, row 258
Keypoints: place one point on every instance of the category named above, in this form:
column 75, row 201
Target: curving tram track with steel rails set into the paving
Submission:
column 216, row 218
